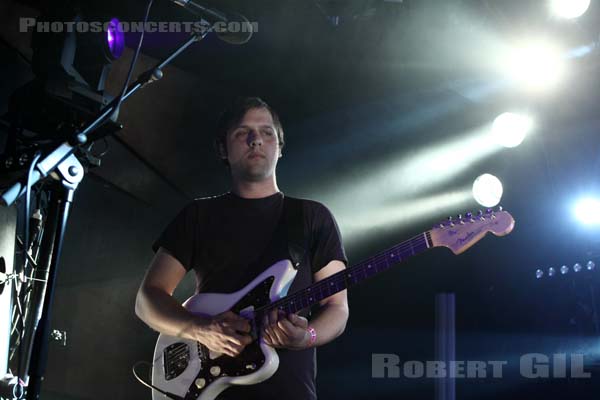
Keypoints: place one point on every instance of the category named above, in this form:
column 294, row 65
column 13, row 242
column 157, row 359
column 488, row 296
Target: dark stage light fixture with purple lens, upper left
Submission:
column 71, row 67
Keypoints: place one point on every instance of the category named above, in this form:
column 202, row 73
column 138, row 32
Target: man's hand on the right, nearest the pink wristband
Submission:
column 287, row 332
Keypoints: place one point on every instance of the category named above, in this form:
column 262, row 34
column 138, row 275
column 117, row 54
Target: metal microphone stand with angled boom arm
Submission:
column 64, row 165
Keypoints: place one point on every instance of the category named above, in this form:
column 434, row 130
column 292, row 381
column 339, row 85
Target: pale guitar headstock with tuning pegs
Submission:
column 463, row 232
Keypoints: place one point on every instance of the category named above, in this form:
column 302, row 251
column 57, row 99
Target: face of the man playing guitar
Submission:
column 253, row 146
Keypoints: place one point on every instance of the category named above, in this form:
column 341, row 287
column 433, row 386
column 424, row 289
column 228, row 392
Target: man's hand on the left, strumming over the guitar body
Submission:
column 225, row 333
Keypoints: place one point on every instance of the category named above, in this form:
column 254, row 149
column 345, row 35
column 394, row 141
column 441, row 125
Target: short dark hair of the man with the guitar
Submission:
column 234, row 113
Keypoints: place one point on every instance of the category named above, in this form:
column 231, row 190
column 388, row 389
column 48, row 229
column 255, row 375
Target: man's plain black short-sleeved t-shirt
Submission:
column 225, row 238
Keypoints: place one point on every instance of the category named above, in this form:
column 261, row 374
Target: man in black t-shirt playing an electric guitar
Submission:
column 229, row 239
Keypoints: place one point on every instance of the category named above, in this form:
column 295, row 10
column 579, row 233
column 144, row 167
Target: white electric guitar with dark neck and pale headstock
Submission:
column 186, row 369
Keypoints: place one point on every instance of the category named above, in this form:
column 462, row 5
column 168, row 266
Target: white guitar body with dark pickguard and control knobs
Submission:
column 188, row 370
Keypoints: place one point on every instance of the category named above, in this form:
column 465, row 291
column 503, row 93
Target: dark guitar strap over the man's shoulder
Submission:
column 293, row 214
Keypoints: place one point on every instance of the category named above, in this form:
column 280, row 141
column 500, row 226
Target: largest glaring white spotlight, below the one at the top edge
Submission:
column 535, row 65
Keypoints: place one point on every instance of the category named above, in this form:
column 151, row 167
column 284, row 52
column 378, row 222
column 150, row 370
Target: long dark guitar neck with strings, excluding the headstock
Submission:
column 352, row 276
